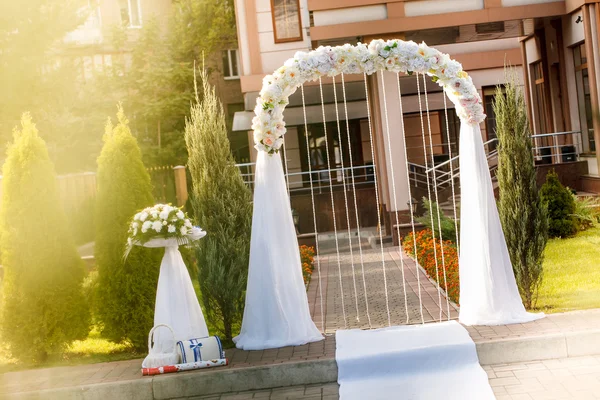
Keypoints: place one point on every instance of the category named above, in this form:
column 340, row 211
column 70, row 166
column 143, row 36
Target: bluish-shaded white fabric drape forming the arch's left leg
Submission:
column 276, row 312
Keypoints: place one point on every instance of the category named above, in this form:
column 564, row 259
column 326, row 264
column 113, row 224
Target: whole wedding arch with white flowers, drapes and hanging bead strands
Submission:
column 277, row 312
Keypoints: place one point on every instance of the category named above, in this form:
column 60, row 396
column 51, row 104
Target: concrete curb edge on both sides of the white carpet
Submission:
column 173, row 386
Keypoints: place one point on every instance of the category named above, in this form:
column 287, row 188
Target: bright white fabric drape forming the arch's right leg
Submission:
column 488, row 290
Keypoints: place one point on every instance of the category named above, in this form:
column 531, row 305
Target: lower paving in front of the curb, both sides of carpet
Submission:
column 564, row 379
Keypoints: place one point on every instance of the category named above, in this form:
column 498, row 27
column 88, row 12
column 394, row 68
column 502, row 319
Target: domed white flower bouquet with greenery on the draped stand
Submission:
column 162, row 226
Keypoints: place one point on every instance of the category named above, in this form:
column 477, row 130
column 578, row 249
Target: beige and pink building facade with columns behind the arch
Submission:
column 553, row 46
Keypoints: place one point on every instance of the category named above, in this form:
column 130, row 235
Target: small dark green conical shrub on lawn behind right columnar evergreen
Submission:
column 561, row 207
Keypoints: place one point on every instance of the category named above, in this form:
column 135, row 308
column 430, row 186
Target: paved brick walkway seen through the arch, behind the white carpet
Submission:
column 350, row 299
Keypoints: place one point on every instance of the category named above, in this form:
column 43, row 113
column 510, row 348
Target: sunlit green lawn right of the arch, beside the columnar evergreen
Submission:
column 571, row 273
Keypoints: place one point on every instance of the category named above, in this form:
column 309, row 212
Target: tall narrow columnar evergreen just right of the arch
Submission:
column 523, row 215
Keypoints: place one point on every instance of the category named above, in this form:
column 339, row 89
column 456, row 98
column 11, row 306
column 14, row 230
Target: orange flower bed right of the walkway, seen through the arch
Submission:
column 426, row 258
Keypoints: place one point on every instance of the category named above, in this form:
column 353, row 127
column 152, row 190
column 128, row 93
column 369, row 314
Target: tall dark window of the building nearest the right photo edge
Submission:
column 583, row 98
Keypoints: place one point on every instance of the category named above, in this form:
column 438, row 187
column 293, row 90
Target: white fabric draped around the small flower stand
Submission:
column 176, row 301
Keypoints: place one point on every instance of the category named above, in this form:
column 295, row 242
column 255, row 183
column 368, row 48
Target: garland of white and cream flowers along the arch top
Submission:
column 391, row 55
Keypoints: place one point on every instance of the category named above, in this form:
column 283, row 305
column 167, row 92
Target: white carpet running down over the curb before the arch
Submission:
column 432, row 361
